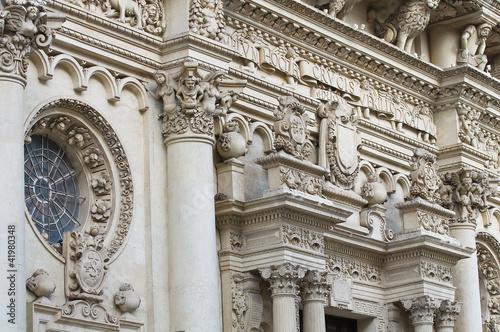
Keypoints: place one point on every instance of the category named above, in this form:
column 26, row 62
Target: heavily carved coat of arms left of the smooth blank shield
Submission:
column 292, row 135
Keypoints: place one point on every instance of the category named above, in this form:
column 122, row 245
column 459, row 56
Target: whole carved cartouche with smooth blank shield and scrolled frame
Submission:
column 339, row 142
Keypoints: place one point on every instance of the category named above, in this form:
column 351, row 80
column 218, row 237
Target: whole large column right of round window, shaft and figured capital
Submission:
column 188, row 129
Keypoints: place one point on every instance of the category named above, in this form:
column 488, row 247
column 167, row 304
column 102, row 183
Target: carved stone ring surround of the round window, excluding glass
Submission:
column 96, row 151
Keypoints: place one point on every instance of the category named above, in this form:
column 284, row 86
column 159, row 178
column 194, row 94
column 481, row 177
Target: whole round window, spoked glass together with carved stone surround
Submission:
column 77, row 177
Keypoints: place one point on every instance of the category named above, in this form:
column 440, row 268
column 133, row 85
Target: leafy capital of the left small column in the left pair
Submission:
column 284, row 278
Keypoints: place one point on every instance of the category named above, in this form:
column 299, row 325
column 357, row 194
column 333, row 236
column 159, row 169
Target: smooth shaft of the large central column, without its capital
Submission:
column 194, row 295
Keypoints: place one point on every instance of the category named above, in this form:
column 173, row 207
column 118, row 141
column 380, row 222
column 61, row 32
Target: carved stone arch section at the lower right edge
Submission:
column 488, row 260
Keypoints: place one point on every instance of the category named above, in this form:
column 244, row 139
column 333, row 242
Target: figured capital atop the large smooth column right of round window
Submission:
column 189, row 102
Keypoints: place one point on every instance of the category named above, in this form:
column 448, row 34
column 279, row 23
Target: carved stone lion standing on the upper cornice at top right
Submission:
column 407, row 22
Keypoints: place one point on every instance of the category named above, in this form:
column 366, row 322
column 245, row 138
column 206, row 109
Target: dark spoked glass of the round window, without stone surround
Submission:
column 51, row 188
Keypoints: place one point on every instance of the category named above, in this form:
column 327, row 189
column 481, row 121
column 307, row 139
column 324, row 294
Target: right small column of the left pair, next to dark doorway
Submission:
column 314, row 293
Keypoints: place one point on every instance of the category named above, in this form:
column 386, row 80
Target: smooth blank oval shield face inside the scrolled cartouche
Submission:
column 347, row 146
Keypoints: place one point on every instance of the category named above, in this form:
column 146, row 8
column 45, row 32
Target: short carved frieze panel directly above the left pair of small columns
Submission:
column 303, row 238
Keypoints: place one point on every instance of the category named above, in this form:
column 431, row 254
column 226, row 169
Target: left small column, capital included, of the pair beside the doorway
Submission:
column 284, row 291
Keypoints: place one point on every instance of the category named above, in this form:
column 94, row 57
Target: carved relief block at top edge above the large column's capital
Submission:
column 206, row 18
